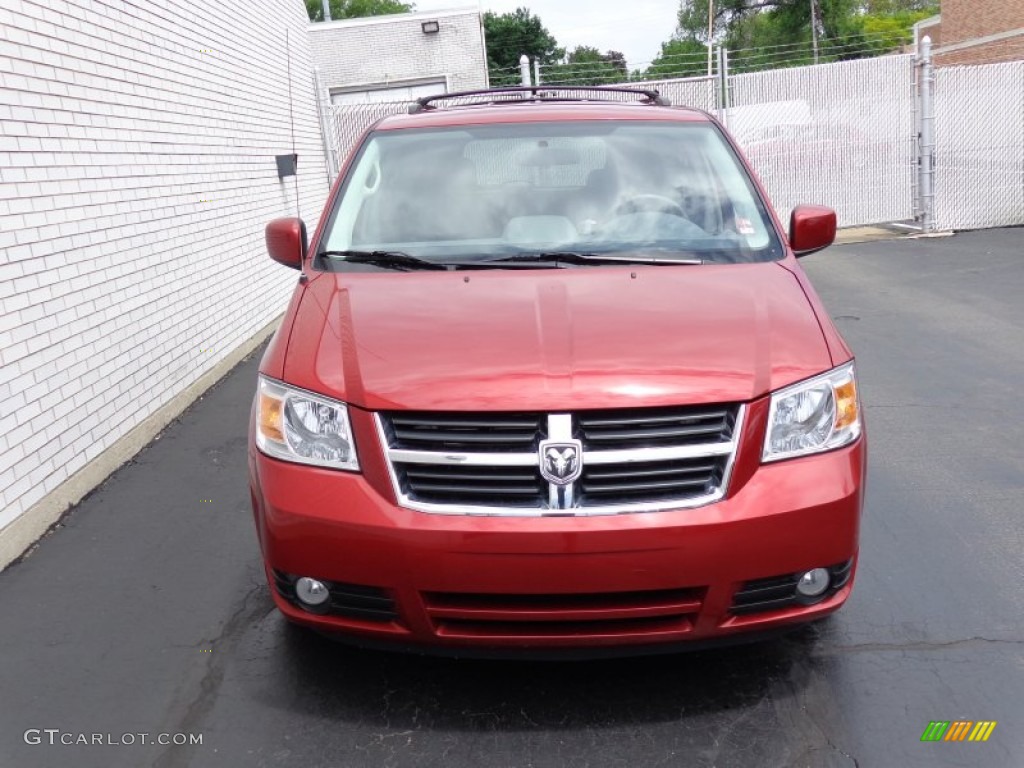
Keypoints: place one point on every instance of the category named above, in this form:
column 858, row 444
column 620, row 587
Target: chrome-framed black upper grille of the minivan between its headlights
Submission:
column 491, row 463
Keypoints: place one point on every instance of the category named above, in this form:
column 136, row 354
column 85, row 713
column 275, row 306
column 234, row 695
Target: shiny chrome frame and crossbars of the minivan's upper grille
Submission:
column 723, row 450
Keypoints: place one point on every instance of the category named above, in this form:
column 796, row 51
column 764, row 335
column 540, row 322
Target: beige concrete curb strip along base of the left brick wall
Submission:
column 19, row 536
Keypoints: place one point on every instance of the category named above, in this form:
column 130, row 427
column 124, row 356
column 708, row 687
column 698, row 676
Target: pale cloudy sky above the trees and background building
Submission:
column 637, row 28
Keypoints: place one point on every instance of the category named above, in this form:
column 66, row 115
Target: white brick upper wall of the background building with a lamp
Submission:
column 371, row 52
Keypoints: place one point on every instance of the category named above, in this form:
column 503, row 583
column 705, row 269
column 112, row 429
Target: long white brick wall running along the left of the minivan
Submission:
column 137, row 176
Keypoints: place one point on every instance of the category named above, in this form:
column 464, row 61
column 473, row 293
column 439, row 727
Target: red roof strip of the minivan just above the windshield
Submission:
column 539, row 113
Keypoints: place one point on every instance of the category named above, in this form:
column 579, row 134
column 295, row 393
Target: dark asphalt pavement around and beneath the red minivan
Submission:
column 146, row 611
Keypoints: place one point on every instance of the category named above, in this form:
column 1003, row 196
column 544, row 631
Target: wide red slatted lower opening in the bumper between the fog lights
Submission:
column 650, row 614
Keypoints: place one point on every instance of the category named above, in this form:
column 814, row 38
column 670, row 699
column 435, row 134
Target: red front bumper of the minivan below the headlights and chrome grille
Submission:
column 659, row 579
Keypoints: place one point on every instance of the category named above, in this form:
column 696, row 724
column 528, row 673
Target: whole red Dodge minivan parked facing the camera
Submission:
column 553, row 380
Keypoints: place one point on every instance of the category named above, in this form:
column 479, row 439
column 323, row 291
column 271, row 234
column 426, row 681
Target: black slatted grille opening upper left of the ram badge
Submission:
column 491, row 433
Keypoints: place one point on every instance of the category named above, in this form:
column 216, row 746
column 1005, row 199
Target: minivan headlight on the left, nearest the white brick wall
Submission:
column 304, row 428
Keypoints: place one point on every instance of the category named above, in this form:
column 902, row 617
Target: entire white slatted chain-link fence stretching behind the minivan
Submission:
column 844, row 135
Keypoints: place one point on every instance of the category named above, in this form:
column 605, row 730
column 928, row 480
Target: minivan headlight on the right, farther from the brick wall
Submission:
column 817, row 415
